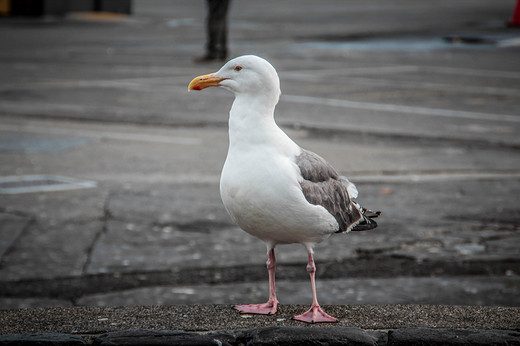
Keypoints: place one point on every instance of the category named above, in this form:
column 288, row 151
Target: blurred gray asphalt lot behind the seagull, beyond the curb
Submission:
column 109, row 169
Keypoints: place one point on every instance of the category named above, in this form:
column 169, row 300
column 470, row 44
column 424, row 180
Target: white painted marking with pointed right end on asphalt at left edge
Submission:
column 41, row 183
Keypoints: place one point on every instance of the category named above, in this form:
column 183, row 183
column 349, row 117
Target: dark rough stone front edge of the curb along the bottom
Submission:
column 277, row 336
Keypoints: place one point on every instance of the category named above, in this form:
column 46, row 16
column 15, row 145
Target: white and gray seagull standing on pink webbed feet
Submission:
column 271, row 187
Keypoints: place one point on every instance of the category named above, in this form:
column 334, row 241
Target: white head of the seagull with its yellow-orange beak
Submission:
column 245, row 75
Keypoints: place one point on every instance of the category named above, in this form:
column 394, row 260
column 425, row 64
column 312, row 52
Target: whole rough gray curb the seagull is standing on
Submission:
column 220, row 325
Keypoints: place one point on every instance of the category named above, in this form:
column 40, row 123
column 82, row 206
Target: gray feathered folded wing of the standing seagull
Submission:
column 323, row 186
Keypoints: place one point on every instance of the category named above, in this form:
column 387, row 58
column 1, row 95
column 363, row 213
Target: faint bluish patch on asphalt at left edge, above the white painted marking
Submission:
column 37, row 144
